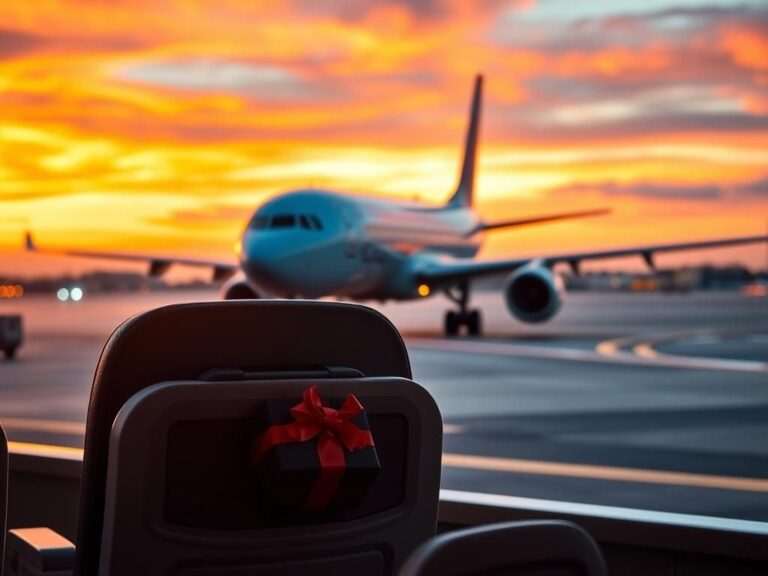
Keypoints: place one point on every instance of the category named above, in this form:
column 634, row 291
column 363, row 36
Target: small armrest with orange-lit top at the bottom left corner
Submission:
column 33, row 551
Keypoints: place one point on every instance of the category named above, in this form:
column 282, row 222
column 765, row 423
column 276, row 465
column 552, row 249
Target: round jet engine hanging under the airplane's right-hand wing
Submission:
column 534, row 294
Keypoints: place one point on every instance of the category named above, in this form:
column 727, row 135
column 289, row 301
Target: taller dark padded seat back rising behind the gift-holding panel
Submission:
column 183, row 341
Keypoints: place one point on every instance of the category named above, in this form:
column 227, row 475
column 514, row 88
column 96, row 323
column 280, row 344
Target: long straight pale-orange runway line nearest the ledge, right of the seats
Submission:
column 604, row 473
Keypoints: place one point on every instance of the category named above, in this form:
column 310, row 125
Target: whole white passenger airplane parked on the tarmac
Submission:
column 313, row 243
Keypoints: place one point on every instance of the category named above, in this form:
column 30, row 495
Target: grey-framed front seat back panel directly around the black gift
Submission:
column 180, row 498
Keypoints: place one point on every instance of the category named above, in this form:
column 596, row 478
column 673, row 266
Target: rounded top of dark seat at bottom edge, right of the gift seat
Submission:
column 533, row 548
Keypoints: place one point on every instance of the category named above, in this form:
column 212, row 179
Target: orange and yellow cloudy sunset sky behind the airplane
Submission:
column 158, row 125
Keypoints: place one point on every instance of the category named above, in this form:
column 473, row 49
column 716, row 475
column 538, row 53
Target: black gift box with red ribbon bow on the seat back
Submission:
column 313, row 457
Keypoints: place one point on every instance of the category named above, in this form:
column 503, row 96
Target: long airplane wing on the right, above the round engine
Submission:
column 438, row 272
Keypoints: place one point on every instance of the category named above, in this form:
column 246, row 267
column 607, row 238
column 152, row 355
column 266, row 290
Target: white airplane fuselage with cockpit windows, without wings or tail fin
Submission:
column 314, row 243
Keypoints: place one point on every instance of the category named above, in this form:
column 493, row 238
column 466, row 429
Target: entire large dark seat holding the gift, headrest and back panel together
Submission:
column 164, row 487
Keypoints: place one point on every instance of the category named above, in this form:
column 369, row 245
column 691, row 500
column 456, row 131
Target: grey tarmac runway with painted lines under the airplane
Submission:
column 654, row 401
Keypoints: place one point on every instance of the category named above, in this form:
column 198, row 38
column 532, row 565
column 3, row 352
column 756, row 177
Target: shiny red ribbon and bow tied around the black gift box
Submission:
column 336, row 433
